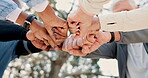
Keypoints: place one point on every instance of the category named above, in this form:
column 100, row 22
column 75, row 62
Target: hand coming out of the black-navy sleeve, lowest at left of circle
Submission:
column 36, row 42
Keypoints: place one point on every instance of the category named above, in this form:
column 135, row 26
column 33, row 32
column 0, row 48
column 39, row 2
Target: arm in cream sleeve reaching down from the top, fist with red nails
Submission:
column 77, row 19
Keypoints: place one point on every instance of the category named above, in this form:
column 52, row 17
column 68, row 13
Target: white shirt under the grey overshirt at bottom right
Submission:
column 137, row 61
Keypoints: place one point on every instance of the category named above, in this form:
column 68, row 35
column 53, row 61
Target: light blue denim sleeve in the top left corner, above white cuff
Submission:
column 6, row 7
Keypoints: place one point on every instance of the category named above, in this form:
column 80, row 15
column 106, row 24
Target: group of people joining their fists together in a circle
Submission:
column 121, row 35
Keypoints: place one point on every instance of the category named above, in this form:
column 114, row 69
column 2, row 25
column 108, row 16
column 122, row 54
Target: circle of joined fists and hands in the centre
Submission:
column 52, row 35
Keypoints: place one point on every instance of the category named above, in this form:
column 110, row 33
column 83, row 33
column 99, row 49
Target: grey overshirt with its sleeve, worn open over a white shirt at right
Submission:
column 119, row 51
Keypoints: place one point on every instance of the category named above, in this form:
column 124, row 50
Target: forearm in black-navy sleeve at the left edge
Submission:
column 10, row 31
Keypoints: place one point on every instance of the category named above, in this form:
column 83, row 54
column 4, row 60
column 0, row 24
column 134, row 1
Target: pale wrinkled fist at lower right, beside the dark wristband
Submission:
column 89, row 43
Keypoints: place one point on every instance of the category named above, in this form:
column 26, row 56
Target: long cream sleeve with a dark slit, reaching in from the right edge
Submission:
column 125, row 21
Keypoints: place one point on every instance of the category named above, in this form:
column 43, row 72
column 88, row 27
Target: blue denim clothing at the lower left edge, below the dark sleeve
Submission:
column 7, row 54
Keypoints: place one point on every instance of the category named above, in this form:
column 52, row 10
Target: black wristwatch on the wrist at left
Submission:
column 28, row 21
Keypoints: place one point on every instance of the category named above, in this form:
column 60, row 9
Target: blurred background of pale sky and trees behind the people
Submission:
column 58, row 64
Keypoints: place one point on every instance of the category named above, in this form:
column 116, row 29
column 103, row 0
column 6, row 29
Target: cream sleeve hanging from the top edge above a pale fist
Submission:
column 92, row 7
